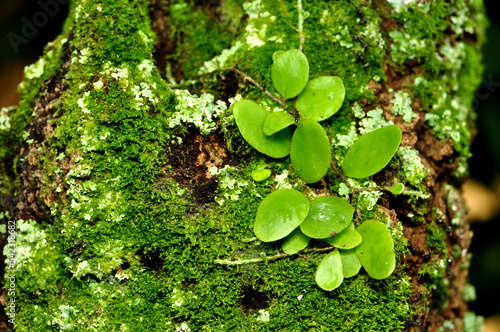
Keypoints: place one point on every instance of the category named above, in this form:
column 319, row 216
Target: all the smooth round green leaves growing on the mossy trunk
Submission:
column 288, row 214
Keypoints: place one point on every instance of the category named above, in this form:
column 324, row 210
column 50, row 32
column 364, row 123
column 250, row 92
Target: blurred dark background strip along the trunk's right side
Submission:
column 485, row 168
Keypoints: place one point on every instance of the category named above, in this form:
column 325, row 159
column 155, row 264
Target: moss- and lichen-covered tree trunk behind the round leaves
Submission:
column 130, row 188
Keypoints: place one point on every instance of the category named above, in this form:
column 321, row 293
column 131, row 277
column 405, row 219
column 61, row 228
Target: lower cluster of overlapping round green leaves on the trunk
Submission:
column 287, row 214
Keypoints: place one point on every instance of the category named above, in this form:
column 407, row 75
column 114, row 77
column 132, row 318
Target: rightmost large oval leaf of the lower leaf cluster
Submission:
column 376, row 249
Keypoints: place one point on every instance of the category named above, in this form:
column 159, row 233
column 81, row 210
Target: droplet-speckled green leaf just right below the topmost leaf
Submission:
column 321, row 98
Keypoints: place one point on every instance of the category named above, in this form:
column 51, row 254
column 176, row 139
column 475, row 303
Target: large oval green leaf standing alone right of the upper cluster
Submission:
column 372, row 152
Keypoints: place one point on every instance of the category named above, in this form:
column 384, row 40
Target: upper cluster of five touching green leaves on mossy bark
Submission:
column 314, row 100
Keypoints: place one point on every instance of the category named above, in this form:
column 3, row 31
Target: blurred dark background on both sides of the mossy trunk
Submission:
column 483, row 191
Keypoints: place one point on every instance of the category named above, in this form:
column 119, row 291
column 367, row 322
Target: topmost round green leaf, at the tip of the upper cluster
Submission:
column 290, row 72
